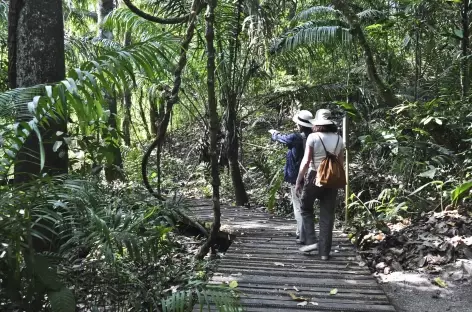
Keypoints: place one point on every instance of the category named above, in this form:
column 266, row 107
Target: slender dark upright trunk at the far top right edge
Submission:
column 465, row 45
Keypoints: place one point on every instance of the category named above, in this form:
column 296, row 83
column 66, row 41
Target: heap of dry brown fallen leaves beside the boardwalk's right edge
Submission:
column 428, row 243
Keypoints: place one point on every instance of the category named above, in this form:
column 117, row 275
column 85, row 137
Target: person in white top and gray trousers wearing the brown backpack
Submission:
column 324, row 139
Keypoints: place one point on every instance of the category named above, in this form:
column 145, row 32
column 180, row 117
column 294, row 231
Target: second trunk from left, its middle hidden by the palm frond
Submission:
column 114, row 170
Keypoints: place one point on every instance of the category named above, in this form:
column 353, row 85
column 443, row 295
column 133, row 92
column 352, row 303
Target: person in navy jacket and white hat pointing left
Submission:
column 295, row 143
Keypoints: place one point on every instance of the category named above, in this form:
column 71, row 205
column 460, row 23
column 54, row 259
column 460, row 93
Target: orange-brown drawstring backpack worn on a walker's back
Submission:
column 330, row 173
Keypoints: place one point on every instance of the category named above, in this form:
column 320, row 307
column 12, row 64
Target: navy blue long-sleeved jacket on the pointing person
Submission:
column 294, row 143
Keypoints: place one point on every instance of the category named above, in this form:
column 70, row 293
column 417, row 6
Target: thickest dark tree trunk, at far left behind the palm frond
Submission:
column 36, row 56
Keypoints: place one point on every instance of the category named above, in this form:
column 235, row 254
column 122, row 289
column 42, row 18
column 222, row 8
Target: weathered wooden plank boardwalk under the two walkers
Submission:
column 265, row 261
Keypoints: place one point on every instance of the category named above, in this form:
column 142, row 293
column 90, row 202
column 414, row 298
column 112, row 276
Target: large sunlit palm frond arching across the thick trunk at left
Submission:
column 80, row 94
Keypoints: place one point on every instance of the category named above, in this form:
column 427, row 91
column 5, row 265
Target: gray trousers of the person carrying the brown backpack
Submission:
column 328, row 198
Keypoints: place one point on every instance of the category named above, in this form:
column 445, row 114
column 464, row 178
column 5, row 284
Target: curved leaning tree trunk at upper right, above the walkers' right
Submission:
column 383, row 90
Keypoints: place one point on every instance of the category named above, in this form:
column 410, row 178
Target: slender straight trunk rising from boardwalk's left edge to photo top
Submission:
column 214, row 128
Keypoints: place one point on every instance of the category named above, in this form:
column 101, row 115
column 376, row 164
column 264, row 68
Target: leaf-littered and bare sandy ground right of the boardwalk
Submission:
column 425, row 265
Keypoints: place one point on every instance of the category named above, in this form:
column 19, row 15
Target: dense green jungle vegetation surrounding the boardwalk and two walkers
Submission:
column 97, row 94
